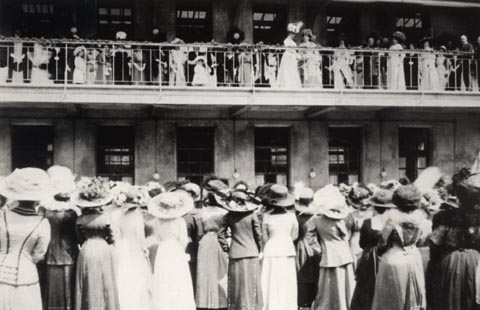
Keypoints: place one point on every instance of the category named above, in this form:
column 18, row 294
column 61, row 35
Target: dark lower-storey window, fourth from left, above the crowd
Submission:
column 271, row 155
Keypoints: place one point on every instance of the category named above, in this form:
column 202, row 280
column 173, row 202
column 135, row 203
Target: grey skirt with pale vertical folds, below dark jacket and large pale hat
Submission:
column 335, row 288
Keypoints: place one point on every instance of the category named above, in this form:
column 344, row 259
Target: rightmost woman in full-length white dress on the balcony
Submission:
column 429, row 75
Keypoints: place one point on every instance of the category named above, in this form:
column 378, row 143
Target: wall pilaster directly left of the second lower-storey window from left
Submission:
column 84, row 161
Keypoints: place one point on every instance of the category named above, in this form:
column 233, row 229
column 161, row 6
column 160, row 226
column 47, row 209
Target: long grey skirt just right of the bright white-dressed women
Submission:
column 211, row 284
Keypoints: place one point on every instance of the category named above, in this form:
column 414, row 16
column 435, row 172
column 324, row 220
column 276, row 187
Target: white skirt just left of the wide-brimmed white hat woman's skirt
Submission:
column 134, row 277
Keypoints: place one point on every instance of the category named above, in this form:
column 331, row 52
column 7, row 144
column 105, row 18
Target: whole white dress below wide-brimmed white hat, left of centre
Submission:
column 173, row 289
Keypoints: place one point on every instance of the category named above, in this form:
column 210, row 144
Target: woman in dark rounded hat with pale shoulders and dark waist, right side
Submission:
column 400, row 282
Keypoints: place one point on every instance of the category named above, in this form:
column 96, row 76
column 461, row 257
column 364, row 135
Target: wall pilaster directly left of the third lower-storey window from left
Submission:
column 166, row 150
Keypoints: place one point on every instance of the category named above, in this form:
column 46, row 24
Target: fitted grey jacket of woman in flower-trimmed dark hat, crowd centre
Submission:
column 246, row 230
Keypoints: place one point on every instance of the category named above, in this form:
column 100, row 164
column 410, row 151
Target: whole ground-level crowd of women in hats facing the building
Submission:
column 91, row 244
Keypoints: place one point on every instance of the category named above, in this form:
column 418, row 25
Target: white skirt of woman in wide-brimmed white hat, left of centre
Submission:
column 172, row 284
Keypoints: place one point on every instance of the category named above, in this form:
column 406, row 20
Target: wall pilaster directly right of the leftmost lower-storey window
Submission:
column 64, row 143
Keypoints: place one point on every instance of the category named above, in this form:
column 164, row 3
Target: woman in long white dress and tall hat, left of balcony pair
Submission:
column 288, row 74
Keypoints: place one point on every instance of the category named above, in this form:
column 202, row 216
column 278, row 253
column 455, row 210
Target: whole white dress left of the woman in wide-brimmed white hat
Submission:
column 134, row 277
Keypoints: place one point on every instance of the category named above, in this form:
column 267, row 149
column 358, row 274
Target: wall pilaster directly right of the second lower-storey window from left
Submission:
column 144, row 151
